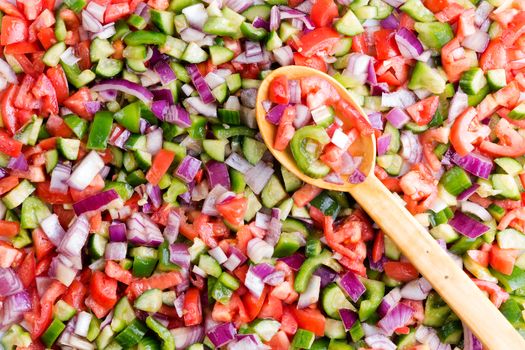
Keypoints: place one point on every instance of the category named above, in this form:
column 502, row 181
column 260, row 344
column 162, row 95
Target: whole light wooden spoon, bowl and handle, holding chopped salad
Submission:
column 414, row 241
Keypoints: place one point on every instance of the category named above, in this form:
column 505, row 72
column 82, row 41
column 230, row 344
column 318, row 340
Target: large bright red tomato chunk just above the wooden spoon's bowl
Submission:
column 318, row 41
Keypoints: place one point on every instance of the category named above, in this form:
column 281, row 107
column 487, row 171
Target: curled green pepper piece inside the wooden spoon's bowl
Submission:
column 308, row 162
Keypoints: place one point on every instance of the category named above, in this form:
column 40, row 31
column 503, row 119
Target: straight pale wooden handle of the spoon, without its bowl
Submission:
column 454, row 286
